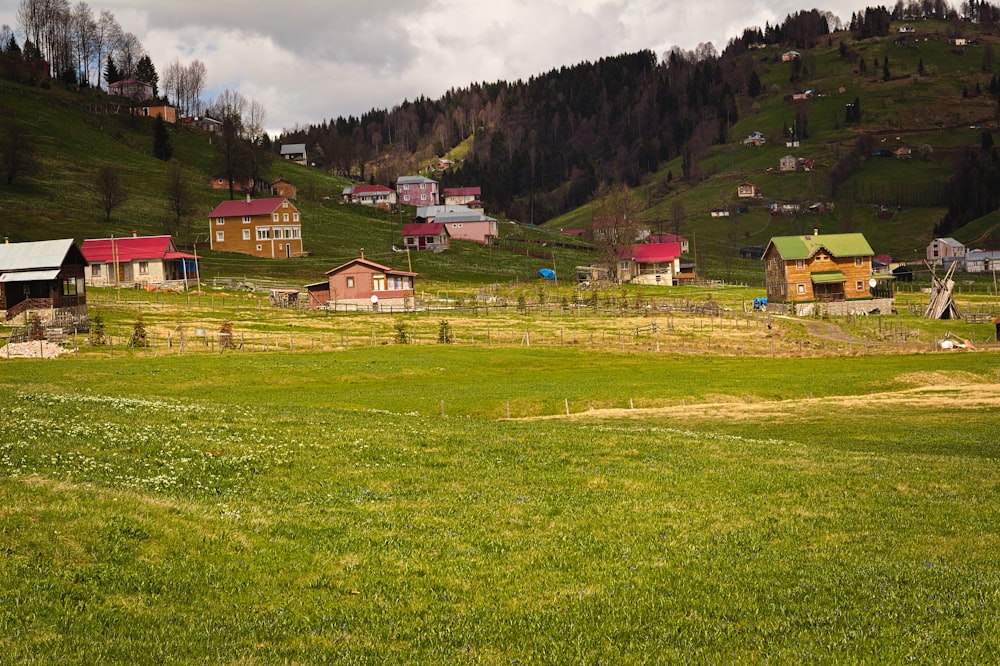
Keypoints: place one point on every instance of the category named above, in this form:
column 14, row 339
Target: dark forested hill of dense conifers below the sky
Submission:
column 541, row 146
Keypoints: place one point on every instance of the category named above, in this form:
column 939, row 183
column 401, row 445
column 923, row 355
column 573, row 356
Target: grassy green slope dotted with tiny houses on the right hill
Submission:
column 908, row 110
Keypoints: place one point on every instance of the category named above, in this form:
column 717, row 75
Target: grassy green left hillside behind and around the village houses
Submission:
column 71, row 142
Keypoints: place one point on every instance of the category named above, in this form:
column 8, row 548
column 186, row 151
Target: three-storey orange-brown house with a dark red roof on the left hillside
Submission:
column 260, row 227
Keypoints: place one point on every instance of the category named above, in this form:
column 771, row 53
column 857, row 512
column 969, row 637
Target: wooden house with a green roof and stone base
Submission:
column 819, row 268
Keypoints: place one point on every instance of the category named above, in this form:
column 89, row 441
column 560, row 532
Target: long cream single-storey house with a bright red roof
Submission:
column 137, row 261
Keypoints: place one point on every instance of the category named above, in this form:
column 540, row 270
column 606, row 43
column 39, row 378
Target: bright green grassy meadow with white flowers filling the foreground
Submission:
column 322, row 507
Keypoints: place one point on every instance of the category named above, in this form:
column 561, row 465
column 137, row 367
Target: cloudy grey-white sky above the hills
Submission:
column 307, row 61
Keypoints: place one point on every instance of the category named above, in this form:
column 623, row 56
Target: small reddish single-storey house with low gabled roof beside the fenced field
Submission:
column 363, row 284
